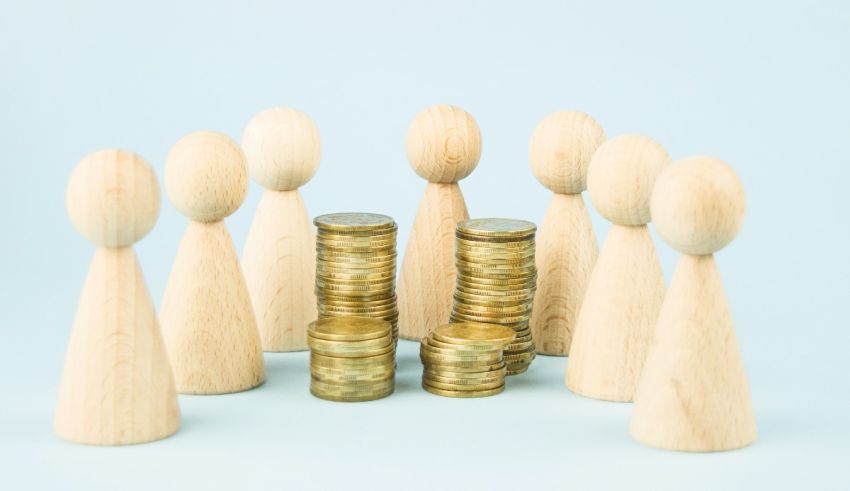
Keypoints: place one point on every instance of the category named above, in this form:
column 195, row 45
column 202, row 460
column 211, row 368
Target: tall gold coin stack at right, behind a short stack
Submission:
column 496, row 281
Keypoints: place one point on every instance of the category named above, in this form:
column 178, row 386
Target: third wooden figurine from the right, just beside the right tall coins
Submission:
column 560, row 152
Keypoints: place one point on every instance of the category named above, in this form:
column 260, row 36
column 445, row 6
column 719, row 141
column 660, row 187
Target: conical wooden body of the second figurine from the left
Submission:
column 207, row 320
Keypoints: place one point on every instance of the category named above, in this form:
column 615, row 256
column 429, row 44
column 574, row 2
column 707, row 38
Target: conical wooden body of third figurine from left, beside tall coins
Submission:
column 279, row 263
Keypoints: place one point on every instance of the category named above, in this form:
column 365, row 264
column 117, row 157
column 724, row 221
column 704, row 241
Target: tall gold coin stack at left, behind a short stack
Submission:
column 356, row 265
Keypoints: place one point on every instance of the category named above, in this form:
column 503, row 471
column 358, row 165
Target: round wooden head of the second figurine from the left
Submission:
column 206, row 176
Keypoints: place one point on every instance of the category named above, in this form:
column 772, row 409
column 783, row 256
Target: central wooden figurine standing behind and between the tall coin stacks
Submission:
column 443, row 146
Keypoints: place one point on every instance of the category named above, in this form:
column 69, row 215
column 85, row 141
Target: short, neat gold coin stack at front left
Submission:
column 352, row 359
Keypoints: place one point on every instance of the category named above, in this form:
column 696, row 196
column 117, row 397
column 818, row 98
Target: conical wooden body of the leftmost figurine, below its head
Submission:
column 117, row 386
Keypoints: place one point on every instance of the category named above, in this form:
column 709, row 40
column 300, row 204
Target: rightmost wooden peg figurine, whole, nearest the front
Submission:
column 693, row 394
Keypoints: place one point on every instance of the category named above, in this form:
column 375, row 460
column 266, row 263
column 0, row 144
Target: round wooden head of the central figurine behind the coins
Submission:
column 443, row 144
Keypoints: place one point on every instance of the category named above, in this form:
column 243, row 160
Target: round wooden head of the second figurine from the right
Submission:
column 621, row 176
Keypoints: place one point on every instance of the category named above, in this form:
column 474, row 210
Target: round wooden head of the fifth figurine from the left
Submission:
column 561, row 148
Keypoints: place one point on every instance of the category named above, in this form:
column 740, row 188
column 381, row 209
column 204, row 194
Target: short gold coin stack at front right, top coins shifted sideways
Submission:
column 465, row 359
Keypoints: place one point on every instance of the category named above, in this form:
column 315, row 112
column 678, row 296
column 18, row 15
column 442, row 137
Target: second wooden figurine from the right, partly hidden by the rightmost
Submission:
column 617, row 318
